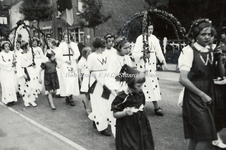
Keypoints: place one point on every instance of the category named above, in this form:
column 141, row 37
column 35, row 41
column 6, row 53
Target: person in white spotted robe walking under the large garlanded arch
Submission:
column 151, row 86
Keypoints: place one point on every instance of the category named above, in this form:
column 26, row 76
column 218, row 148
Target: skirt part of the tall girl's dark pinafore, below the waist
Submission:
column 197, row 115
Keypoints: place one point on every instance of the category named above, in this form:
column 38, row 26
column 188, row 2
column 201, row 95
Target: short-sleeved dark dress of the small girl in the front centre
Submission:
column 132, row 132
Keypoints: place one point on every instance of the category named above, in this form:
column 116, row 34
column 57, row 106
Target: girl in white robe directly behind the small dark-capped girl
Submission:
column 112, row 80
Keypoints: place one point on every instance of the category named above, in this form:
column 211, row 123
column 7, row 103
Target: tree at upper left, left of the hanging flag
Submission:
column 38, row 10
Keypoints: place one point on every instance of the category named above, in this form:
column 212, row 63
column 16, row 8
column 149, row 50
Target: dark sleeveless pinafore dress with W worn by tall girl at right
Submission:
column 198, row 115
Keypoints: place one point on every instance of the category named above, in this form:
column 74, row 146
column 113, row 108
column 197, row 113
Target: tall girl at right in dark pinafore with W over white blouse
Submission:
column 196, row 67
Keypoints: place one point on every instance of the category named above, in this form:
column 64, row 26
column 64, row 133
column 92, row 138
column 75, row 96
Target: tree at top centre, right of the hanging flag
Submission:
column 93, row 14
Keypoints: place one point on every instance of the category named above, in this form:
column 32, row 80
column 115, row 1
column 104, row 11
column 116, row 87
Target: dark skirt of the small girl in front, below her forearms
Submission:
column 134, row 133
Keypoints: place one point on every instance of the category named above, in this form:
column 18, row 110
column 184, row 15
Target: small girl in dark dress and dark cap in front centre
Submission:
column 133, row 130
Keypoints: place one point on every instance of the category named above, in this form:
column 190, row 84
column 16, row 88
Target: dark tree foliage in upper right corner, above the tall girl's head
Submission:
column 186, row 11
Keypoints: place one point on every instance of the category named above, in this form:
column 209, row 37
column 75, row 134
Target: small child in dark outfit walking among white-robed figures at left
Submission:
column 50, row 77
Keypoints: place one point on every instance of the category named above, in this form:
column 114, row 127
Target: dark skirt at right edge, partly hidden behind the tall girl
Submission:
column 220, row 107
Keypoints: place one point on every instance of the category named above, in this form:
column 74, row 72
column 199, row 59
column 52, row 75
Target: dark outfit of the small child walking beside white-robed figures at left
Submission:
column 50, row 76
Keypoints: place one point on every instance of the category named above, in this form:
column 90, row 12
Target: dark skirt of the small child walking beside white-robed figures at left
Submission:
column 51, row 81
